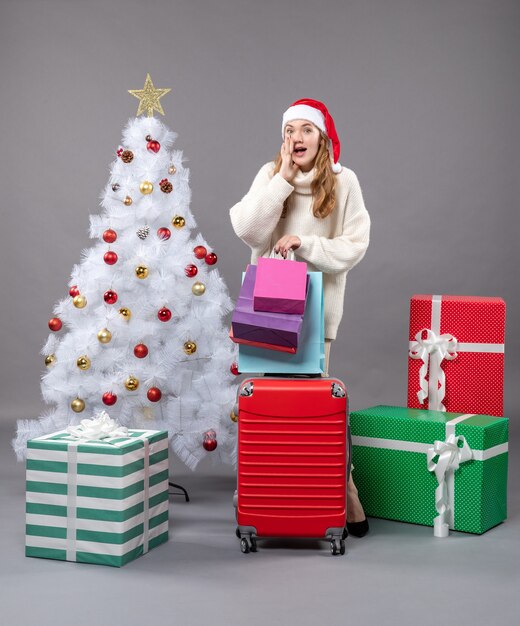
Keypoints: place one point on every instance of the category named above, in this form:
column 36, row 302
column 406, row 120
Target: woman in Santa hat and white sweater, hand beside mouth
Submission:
column 307, row 202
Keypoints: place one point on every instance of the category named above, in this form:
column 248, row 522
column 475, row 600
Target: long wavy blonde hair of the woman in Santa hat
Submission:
column 323, row 185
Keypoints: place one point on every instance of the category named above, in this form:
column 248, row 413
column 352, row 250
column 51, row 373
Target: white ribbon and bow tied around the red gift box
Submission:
column 432, row 350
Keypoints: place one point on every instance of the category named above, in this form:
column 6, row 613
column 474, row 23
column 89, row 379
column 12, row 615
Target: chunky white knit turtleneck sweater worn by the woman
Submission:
column 332, row 245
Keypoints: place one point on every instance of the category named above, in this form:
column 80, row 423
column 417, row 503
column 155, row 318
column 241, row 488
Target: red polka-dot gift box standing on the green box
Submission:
column 456, row 354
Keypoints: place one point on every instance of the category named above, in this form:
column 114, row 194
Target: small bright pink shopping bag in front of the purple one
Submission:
column 281, row 286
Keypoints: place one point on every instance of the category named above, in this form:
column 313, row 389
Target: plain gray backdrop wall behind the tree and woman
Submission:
column 425, row 96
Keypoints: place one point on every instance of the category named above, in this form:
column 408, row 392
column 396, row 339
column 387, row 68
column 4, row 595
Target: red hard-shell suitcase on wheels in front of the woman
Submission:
column 292, row 460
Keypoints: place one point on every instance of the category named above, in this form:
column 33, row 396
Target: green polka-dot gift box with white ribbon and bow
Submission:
column 447, row 470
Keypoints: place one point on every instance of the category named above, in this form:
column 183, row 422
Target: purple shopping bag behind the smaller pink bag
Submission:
column 276, row 329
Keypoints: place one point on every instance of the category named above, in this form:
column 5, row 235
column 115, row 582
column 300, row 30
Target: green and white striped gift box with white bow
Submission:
column 102, row 501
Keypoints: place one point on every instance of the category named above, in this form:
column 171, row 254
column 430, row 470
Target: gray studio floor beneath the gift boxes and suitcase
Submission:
column 398, row 574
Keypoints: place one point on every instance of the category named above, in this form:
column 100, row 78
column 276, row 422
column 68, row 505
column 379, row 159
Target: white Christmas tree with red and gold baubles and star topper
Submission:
column 142, row 333
